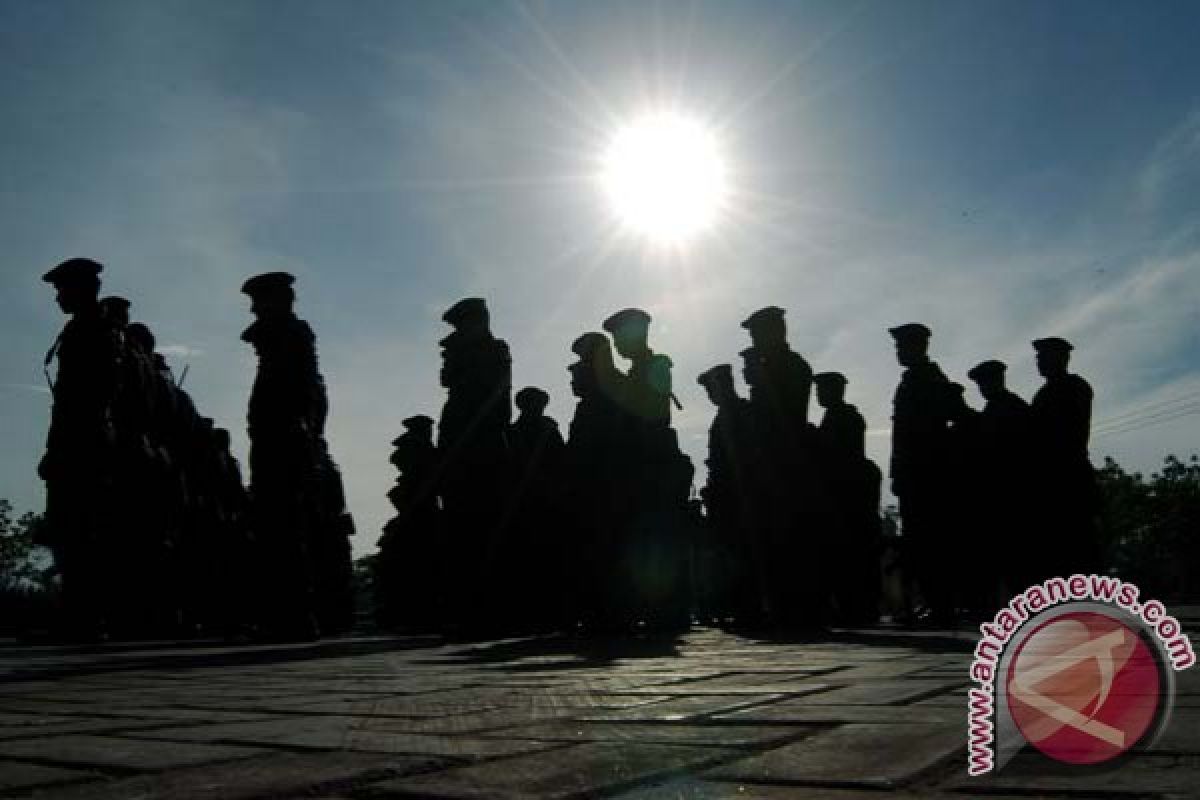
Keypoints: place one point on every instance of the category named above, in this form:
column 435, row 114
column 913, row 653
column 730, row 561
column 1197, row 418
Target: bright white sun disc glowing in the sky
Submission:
column 665, row 178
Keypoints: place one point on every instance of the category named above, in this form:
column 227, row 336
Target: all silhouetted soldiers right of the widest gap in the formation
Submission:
column 512, row 525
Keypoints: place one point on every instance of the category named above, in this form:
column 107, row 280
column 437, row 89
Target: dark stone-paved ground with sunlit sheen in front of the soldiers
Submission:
column 707, row 715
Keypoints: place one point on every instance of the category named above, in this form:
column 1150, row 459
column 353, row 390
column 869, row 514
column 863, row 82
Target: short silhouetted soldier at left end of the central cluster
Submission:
column 409, row 579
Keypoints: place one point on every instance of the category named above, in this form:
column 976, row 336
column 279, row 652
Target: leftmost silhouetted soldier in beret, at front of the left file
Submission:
column 80, row 459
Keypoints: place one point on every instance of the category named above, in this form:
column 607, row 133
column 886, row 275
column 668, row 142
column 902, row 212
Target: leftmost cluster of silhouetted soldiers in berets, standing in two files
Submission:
column 152, row 528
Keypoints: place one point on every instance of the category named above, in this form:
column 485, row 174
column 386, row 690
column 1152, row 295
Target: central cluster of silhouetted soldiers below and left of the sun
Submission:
column 509, row 526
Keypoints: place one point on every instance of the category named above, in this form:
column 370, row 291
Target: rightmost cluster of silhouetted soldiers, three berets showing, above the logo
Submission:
column 997, row 500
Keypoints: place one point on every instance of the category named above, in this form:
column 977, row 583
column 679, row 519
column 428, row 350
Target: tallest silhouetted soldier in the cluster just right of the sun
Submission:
column 791, row 500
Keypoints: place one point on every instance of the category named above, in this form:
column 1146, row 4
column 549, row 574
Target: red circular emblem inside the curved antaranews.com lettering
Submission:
column 1084, row 688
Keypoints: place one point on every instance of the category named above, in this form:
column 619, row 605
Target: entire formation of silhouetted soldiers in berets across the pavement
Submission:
column 505, row 526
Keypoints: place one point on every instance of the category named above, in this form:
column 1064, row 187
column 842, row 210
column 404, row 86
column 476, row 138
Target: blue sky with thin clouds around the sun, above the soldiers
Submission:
column 1000, row 171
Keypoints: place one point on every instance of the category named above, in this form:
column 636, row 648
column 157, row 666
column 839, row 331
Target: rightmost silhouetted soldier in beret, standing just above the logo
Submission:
column 1063, row 418
